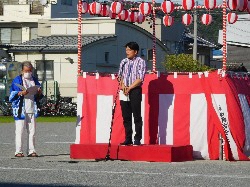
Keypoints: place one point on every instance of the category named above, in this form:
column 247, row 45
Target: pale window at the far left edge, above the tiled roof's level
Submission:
column 11, row 35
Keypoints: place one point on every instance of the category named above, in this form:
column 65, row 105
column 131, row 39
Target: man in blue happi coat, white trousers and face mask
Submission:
column 24, row 104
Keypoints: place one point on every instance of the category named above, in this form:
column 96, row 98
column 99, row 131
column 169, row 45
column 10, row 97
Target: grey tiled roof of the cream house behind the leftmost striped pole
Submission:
column 56, row 43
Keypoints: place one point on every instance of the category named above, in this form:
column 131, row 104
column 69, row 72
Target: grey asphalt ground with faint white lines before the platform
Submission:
column 54, row 167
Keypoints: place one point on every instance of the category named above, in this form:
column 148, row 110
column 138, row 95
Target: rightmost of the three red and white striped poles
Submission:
column 224, row 30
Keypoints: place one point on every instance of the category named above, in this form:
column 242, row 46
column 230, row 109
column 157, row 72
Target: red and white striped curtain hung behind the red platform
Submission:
column 182, row 110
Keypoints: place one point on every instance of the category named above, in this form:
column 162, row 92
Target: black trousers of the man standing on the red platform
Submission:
column 129, row 107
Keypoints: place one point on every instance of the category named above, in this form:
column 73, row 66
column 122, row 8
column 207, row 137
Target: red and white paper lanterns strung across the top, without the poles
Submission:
column 117, row 11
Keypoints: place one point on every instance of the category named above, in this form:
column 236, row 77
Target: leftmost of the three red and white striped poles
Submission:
column 79, row 41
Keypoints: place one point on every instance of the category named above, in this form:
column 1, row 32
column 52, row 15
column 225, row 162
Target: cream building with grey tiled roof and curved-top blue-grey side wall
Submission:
column 55, row 55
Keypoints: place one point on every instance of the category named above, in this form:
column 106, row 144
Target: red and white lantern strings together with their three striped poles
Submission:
column 116, row 10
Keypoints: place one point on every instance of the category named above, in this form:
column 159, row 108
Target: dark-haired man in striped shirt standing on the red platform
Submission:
column 131, row 75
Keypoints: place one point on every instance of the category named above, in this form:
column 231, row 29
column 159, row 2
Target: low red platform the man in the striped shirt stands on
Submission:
column 150, row 153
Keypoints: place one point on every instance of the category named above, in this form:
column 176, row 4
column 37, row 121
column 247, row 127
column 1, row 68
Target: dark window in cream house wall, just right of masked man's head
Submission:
column 45, row 70
